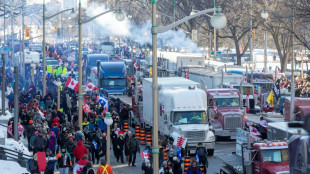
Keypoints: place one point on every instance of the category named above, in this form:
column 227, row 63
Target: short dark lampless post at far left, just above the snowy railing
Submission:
column 16, row 104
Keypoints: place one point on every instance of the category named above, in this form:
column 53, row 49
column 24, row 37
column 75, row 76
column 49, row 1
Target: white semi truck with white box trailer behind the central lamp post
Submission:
column 182, row 111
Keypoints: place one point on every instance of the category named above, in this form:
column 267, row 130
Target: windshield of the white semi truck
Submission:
column 198, row 117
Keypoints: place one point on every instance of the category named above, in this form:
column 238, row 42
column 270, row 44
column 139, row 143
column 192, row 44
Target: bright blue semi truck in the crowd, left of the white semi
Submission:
column 111, row 77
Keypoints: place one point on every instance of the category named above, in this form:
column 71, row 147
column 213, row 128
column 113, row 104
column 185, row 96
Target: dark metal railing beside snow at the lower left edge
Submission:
column 11, row 155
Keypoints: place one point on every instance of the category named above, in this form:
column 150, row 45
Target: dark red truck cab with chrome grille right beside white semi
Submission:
column 224, row 111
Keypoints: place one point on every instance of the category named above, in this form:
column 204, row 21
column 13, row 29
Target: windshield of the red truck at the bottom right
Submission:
column 275, row 155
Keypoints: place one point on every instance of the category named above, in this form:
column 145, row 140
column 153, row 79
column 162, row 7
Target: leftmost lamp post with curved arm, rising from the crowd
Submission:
column 43, row 50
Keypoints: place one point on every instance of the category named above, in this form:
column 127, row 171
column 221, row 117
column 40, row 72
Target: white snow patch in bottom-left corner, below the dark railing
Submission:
column 11, row 167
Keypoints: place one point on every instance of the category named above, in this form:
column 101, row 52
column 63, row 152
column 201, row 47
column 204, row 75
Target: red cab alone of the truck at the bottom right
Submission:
column 270, row 158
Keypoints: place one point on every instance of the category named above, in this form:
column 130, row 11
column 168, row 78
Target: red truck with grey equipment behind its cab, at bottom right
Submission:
column 262, row 157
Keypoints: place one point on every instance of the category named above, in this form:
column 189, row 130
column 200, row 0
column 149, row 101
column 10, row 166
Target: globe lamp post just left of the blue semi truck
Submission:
column 120, row 16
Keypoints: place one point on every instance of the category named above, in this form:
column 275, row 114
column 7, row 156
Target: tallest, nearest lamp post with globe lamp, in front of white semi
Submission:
column 218, row 21
